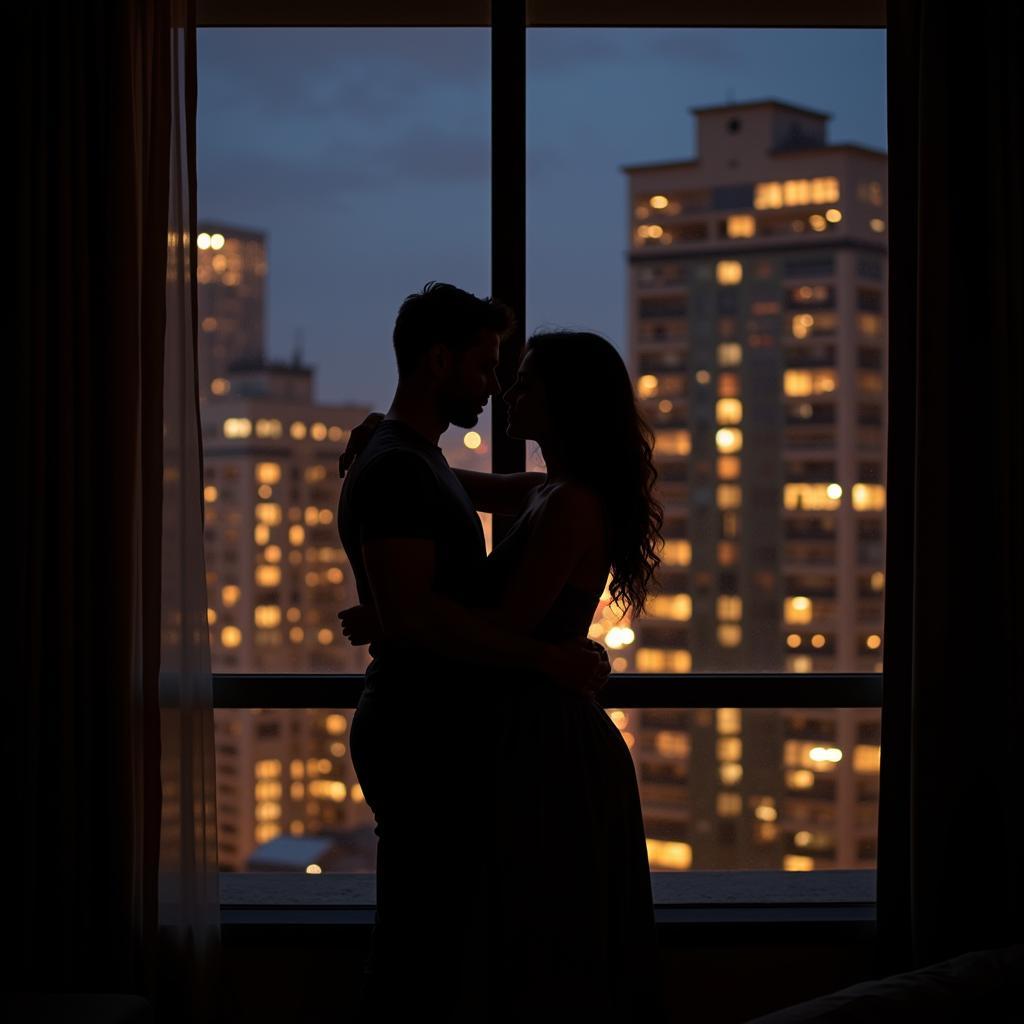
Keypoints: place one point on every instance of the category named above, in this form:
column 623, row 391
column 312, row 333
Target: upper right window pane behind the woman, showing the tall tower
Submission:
column 736, row 251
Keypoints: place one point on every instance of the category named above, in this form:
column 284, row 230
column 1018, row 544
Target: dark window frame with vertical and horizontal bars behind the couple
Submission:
column 508, row 22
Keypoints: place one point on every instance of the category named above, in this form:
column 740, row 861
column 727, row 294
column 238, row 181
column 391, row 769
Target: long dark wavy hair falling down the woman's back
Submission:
column 607, row 446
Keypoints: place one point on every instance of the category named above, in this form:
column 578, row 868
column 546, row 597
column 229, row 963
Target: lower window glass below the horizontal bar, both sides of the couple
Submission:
column 722, row 789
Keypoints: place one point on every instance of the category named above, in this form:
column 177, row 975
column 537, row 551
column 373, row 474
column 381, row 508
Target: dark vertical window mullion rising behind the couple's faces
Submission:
column 508, row 214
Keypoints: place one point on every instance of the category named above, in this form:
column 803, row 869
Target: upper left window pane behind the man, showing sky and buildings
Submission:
column 339, row 170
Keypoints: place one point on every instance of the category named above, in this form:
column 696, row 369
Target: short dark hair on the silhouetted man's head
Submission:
column 446, row 315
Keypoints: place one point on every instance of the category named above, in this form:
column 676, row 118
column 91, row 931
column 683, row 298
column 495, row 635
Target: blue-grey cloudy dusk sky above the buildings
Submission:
column 365, row 156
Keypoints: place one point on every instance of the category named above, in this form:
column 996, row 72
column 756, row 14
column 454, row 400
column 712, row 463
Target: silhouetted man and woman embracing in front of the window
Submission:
column 513, row 874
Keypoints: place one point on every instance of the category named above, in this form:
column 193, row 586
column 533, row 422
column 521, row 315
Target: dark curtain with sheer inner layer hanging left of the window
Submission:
column 112, row 741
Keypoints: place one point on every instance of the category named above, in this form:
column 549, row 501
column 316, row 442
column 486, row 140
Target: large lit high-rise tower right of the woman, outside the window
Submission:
column 757, row 298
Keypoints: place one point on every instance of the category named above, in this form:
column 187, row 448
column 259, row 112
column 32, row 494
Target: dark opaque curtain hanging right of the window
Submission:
column 950, row 878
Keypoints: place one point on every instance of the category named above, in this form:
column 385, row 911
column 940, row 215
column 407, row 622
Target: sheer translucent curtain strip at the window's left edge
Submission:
column 190, row 902
